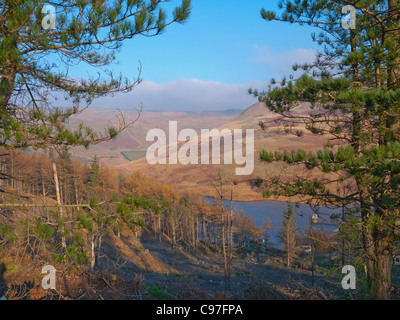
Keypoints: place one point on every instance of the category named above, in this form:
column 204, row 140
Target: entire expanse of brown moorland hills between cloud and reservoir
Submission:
column 127, row 152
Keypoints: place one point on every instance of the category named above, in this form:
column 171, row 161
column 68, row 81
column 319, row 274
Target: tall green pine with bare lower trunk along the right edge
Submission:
column 354, row 90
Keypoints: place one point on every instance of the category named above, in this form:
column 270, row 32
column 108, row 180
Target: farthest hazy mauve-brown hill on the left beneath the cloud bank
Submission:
column 131, row 143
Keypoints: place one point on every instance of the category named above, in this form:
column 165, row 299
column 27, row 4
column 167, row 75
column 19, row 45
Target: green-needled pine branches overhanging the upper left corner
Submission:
column 88, row 32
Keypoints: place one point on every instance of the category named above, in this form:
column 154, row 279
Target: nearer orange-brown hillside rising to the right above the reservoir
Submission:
column 196, row 177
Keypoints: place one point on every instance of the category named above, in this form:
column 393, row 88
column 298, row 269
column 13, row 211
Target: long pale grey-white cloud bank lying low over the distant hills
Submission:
column 184, row 94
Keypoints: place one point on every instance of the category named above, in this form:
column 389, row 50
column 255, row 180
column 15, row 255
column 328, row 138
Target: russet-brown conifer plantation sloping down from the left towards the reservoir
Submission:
column 80, row 230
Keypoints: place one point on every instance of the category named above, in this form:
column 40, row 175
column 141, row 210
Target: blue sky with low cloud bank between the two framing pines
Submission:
column 209, row 62
